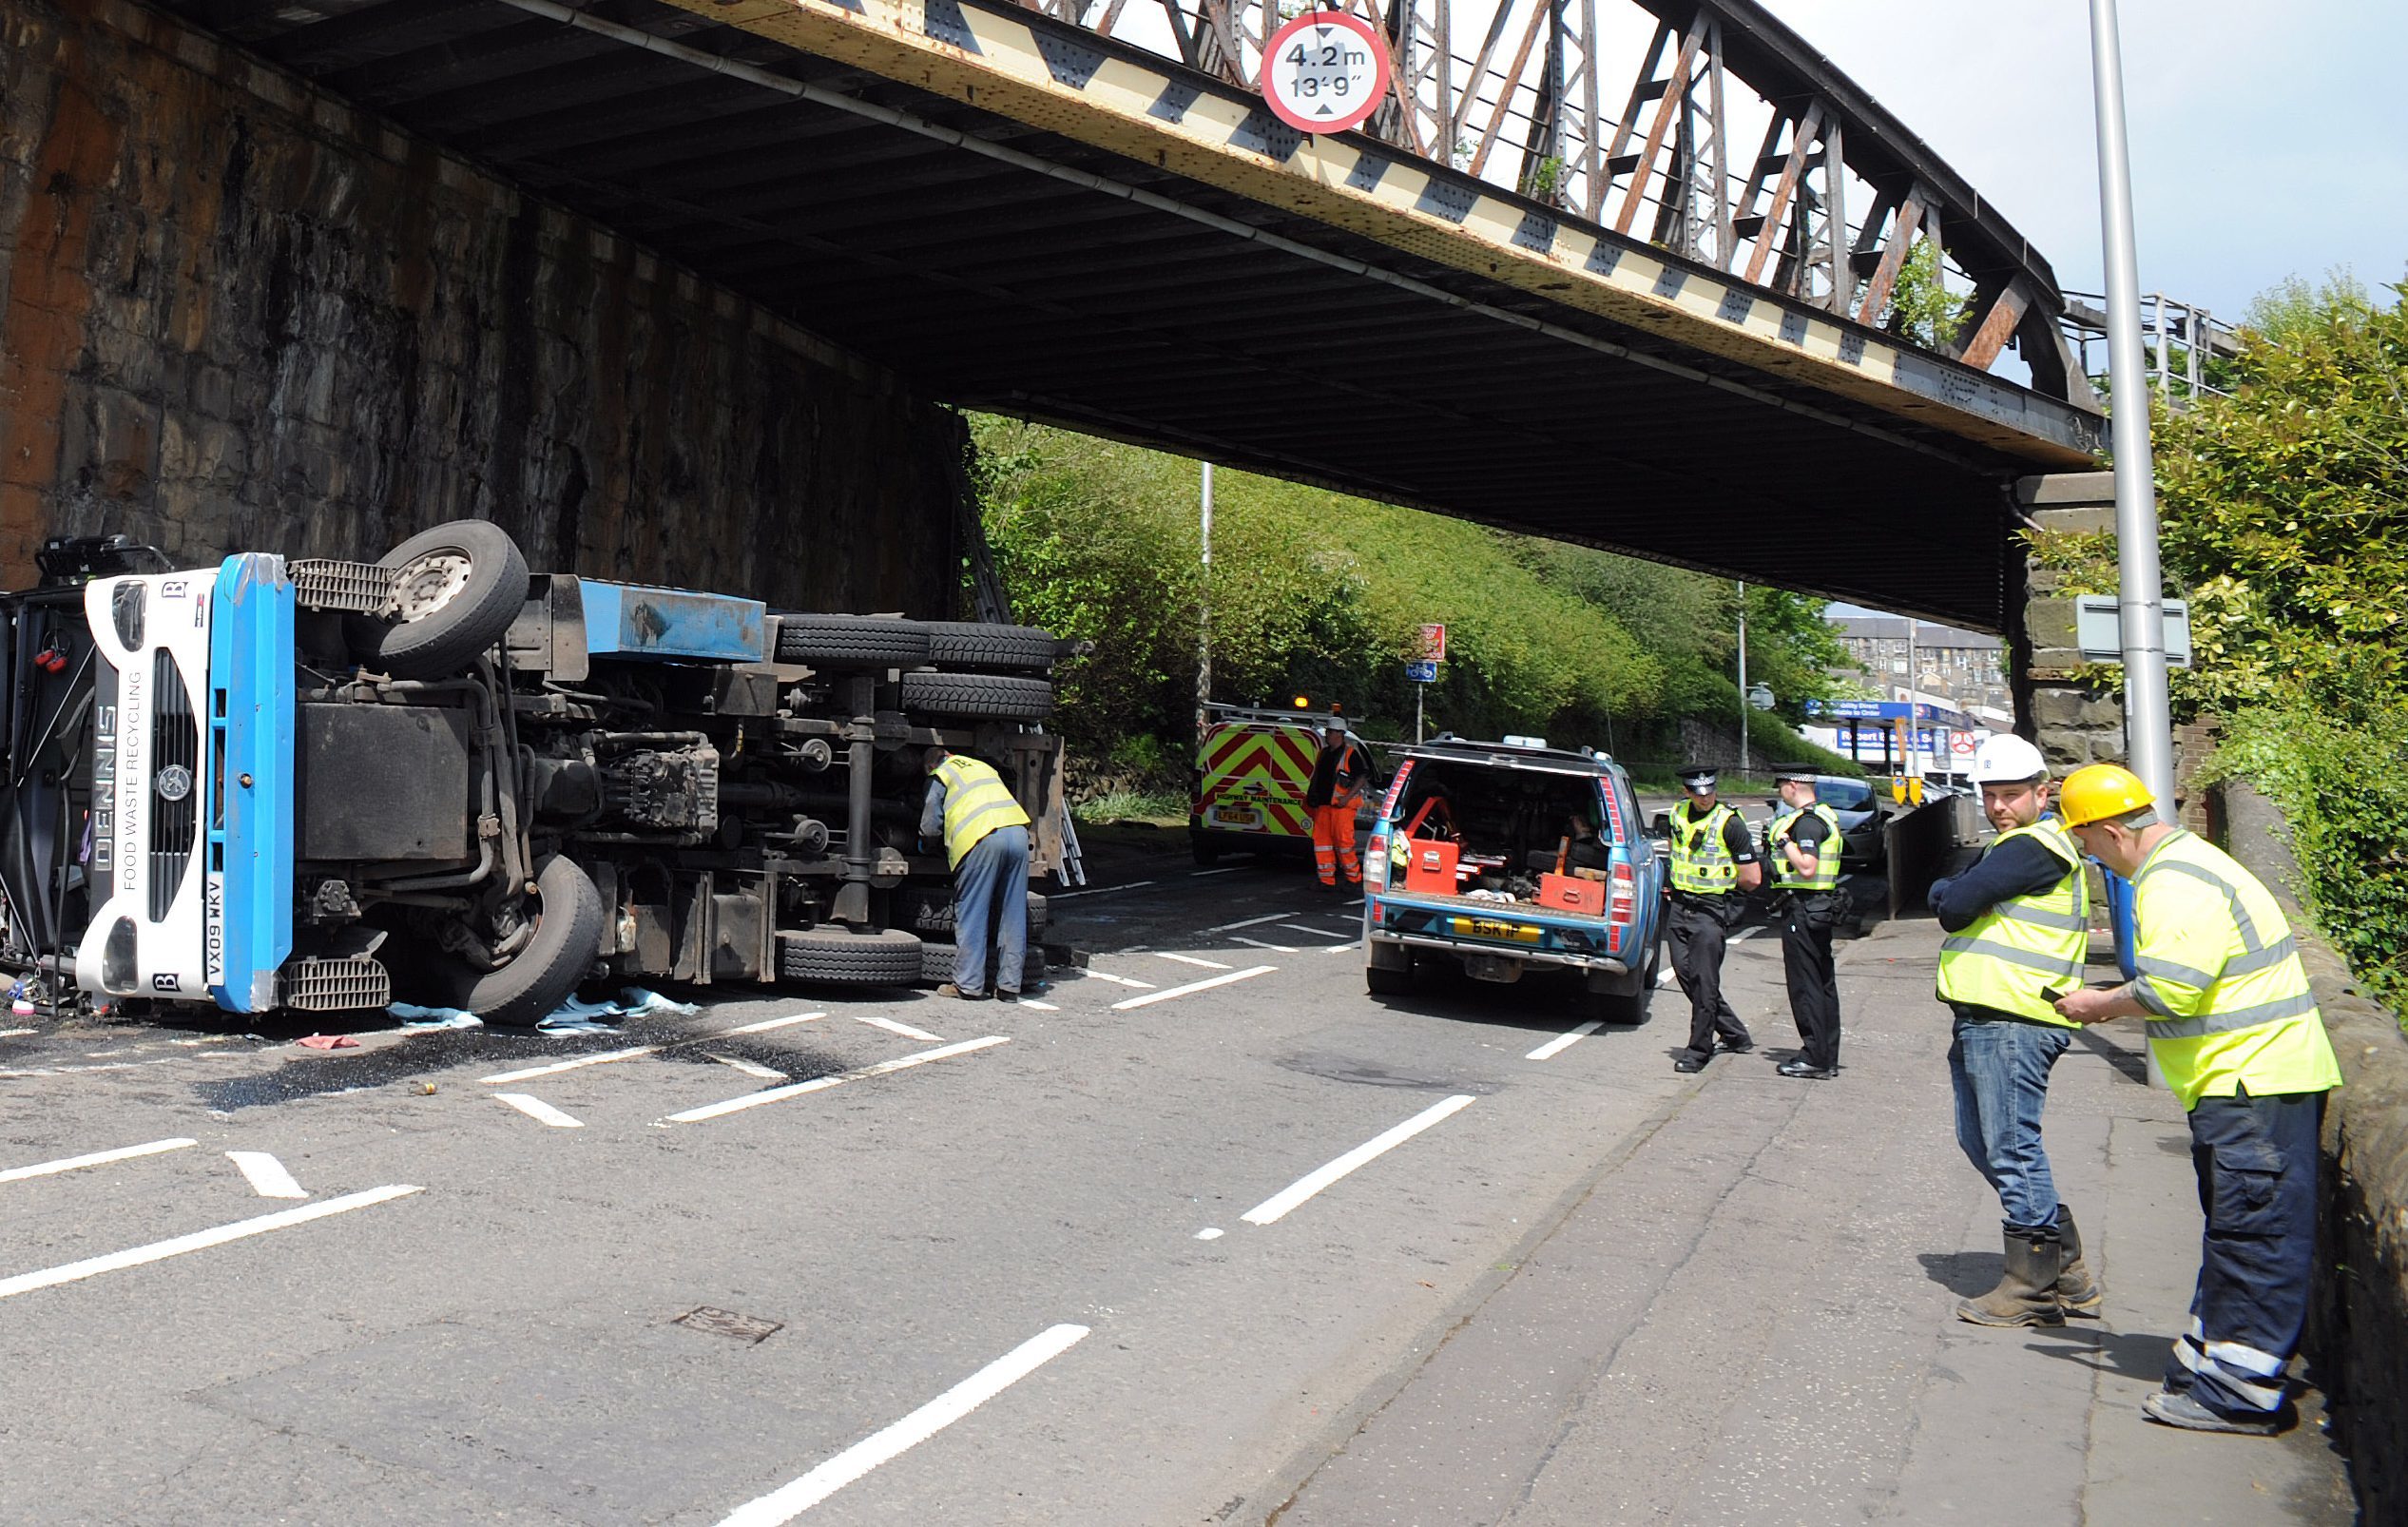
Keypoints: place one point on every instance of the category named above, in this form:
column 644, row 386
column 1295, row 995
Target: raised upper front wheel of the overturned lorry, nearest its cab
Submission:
column 459, row 589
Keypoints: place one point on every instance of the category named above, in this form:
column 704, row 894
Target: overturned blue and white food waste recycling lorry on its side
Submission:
column 324, row 786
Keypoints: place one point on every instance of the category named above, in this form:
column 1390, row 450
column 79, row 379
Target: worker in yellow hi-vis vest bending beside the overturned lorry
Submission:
column 986, row 844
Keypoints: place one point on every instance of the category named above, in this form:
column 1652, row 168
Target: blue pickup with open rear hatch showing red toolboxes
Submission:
column 1511, row 859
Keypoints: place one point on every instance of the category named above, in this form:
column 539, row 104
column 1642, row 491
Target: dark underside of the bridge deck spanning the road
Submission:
column 1051, row 278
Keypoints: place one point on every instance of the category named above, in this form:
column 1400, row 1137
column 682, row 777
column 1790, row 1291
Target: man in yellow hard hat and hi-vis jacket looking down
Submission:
column 2236, row 1030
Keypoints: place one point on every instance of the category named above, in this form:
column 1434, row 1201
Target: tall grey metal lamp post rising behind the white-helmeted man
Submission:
column 2149, row 736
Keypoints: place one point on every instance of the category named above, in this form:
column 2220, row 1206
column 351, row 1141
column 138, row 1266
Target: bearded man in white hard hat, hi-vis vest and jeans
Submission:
column 2019, row 931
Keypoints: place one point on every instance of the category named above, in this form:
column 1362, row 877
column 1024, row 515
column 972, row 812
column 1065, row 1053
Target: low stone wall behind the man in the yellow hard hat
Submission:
column 2359, row 1323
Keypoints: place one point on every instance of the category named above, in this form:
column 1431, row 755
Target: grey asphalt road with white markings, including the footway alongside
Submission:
column 1203, row 1237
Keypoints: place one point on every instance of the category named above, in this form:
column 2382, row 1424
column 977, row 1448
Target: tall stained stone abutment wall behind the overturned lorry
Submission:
column 237, row 314
